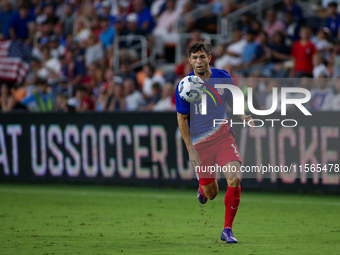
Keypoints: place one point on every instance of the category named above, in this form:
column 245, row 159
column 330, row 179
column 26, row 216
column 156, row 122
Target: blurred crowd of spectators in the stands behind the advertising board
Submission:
column 73, row 43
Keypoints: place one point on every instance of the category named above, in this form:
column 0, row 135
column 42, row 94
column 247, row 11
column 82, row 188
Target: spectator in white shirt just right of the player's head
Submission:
column 234, row 52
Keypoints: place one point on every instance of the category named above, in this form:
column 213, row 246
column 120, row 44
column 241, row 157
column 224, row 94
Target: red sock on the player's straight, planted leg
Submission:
column 231, row 201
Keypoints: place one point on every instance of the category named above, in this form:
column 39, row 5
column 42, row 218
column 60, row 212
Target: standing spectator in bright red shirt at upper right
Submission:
column 302, row 54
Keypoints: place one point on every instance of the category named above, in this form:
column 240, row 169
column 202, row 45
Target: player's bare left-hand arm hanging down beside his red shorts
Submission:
column 184, row 128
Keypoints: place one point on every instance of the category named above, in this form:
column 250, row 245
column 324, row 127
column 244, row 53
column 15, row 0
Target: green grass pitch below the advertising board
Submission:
column 109, row 220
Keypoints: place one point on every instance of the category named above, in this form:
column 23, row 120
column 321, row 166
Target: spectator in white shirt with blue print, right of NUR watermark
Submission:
column 322, row 96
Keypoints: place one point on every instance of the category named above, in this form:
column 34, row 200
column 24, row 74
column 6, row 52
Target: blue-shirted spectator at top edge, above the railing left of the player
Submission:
column 145, row 19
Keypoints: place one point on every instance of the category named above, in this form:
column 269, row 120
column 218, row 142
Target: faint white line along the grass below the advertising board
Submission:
column 127, row 194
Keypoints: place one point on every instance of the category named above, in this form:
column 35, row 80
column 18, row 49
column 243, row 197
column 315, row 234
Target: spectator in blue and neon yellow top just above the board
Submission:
column 42, row 99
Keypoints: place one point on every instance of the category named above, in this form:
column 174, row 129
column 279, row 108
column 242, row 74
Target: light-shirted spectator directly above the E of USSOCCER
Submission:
column 134, row 99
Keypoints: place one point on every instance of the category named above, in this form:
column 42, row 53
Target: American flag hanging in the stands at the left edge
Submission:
column 14, row 58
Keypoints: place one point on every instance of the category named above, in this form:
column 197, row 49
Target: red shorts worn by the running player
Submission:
column 220, row 148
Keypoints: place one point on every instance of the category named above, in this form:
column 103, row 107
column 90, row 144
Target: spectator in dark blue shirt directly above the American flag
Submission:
column 19, row 23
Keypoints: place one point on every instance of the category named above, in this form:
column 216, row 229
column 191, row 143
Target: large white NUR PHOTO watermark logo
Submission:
column 239, row 104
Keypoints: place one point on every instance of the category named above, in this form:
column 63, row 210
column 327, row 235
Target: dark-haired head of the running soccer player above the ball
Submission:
column 199, row 55
